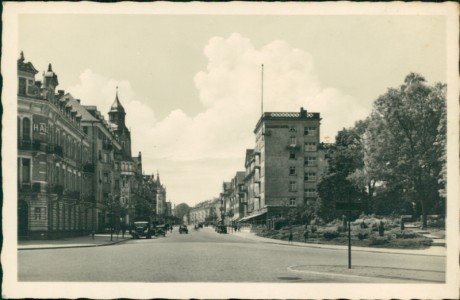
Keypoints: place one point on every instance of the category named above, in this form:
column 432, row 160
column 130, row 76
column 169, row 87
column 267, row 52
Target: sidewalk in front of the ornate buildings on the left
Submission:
column 73, row 242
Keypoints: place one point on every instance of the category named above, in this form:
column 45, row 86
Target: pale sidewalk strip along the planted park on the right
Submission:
column 432, row 251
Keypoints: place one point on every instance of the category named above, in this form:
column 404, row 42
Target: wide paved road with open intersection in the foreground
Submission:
column 205, row 256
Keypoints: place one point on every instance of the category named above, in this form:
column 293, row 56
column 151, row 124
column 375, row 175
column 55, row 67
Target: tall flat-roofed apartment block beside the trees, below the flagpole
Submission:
column 283, row 169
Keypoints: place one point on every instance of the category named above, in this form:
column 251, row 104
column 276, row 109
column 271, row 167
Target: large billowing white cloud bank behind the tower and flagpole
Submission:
column 230, row 91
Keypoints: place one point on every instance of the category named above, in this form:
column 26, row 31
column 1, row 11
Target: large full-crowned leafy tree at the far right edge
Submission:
column 407, row 131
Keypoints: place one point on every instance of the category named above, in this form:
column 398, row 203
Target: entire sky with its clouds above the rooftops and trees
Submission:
column 191, row 84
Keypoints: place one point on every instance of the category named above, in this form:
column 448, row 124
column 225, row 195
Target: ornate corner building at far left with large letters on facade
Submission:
column 54, row 194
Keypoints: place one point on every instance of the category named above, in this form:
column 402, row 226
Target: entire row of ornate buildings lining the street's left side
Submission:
column 75, row 170
